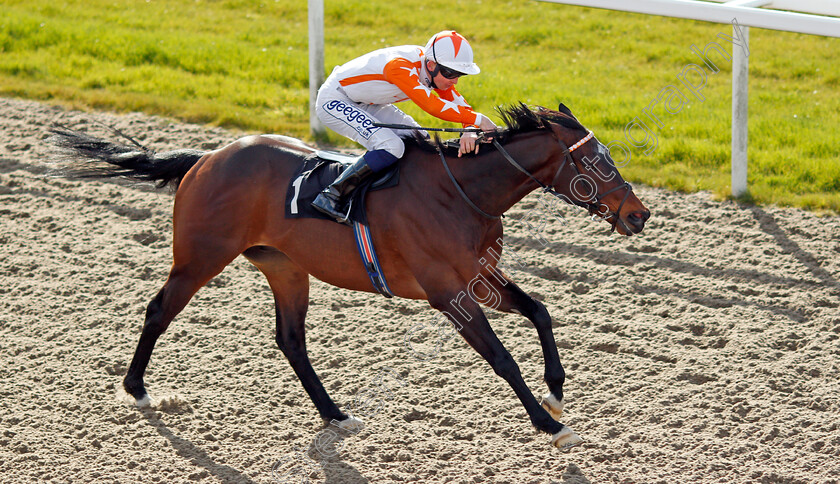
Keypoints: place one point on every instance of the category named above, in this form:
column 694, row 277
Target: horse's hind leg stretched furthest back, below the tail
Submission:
column 183, row 282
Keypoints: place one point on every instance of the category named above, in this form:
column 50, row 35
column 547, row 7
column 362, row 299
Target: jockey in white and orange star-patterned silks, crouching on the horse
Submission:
column 361, row 92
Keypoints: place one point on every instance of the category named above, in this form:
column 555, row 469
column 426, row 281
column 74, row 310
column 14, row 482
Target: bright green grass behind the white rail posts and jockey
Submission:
column 243, row 64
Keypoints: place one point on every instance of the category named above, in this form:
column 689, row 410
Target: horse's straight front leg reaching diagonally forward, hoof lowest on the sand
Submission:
column 476, row 330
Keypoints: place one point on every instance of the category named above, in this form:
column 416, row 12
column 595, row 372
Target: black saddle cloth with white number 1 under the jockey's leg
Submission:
column 316, row 173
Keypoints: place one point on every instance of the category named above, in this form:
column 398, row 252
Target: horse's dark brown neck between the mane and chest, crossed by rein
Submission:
column 496, row 184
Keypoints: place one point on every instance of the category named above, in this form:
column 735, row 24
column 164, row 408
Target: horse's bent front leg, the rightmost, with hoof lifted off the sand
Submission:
column 512, row 299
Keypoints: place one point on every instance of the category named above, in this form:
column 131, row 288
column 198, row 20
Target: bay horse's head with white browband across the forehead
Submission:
column 586, row 174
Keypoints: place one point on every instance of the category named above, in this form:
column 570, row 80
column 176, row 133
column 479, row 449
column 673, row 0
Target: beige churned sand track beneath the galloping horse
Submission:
column 705, row 350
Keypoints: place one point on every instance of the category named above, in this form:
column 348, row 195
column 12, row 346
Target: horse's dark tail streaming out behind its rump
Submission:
column 107, row 159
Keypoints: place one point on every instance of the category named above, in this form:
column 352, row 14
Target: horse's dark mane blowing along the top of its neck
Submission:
column 518, row 119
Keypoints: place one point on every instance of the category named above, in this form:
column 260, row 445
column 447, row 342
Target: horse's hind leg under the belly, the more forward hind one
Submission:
column 290, row 286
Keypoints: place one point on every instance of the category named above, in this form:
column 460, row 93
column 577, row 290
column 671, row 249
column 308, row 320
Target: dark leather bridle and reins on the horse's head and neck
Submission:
column 593, row 206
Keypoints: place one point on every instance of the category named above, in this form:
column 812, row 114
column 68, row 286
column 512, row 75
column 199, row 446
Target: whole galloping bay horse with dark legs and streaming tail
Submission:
column 435, row 232
